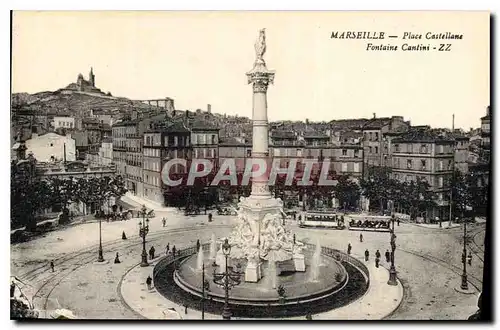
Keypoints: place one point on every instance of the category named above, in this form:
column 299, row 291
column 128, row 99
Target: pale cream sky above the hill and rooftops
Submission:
column 200, row 58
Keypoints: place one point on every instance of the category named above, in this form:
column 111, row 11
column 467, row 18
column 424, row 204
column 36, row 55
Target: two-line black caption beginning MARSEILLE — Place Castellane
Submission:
column 413, row 41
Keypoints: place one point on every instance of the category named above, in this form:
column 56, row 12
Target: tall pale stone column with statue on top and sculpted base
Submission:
column 260, row 234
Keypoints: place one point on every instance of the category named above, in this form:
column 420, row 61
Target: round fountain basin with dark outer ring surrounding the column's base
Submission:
column 307, row 298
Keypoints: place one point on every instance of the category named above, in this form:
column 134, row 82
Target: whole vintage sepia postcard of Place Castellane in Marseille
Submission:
column 250, row 165
